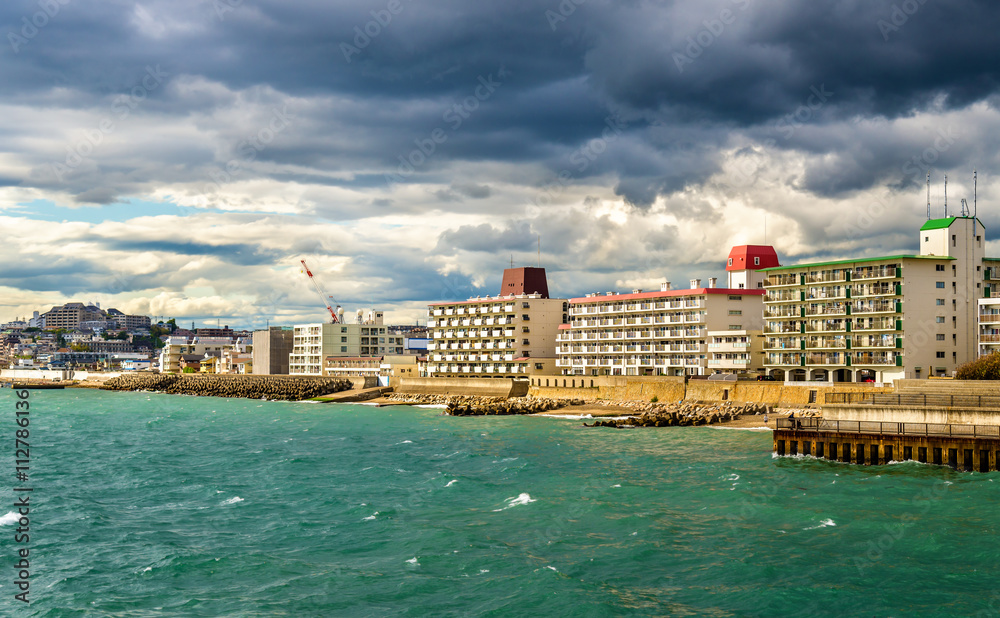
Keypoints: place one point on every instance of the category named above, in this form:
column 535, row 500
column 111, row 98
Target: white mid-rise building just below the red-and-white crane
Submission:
column 313, row 343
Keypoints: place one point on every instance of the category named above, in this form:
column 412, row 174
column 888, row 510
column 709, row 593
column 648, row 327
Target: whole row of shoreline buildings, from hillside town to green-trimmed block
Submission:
column 868, row 319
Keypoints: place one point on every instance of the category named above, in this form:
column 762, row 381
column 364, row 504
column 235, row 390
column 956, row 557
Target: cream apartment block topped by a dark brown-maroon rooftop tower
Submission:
column 510, row 335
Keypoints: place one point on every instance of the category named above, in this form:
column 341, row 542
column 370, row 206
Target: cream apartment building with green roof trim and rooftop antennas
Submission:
column 879, row 318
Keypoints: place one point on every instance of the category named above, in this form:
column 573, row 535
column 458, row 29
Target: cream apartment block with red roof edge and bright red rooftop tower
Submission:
column 667, row 332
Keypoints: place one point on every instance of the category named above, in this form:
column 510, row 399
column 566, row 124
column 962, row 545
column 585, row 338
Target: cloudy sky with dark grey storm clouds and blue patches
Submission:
column 179, row 158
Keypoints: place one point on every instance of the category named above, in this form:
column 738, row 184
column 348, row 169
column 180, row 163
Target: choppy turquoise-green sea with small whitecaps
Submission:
column 161, row 505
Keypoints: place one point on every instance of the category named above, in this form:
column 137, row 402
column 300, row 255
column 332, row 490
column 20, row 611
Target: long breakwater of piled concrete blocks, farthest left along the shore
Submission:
column 274, row 388
